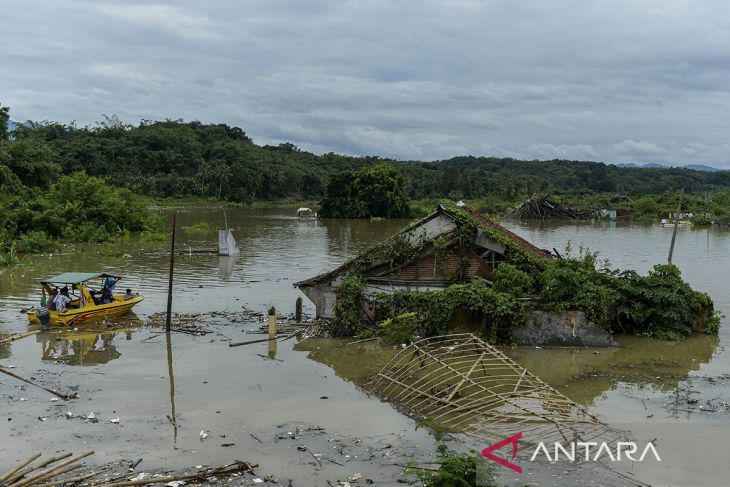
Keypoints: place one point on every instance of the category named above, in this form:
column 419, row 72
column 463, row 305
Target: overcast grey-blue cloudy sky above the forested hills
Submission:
column 606, row 80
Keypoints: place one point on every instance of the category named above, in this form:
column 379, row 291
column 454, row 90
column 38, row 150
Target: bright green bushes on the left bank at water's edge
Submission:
column 39, row 203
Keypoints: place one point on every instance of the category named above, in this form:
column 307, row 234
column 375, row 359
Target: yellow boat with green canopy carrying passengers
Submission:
column 83, row 307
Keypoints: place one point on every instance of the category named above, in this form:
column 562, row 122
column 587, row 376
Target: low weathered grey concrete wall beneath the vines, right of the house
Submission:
column 561, row 328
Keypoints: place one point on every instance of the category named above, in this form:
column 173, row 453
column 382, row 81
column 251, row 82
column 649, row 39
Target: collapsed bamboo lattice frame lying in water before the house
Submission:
column 469, row 386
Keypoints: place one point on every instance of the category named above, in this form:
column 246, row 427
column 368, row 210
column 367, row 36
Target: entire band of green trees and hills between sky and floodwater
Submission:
column 174, row 158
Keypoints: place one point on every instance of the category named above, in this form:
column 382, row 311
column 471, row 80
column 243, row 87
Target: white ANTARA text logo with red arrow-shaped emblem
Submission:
column 575, row 451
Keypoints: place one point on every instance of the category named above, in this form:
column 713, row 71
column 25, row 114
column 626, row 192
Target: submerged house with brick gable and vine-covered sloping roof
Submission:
column 453, row 244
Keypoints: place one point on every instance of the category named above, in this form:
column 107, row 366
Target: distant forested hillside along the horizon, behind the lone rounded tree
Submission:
column 176, row 158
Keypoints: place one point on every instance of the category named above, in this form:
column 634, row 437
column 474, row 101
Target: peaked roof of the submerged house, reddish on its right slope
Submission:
column 519, row 242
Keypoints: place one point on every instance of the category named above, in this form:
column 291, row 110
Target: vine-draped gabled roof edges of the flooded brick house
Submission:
column 460, row 214
